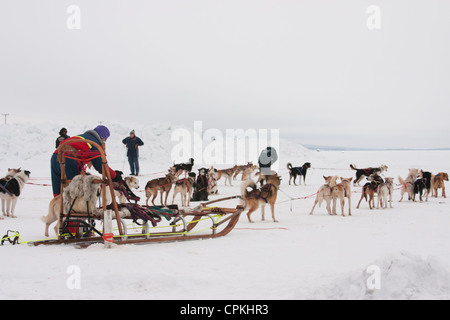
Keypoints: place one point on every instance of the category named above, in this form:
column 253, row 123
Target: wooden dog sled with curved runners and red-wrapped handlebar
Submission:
column 167, row 223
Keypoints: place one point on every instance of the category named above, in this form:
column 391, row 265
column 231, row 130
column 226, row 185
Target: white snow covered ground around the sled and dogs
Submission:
column 300, row 257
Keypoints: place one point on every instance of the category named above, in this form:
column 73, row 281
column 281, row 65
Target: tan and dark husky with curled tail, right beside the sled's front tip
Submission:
column 256, row 198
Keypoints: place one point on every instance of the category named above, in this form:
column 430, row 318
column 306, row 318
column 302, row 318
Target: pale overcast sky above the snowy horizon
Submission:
column 313, row 69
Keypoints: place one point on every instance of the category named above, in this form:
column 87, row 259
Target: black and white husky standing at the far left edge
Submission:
column 10, row 191
